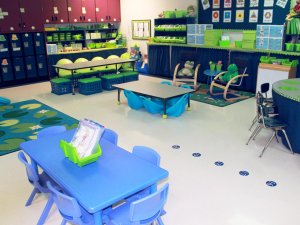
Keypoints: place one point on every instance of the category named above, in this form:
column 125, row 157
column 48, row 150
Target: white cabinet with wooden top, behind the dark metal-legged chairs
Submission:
column 270, row 73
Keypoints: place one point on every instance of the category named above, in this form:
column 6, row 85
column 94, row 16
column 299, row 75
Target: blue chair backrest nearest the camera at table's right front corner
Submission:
column 150, row 208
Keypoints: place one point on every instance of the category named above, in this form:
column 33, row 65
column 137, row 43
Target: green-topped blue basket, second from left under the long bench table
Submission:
column 90, row 86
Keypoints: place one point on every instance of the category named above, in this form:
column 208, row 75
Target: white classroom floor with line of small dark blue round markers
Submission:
column 200, row 192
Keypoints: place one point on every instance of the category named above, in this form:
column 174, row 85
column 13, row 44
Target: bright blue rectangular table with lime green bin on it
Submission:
column 116, row 175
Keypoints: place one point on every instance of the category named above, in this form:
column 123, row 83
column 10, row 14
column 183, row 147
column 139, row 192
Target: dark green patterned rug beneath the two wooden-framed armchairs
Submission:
column 203, row 95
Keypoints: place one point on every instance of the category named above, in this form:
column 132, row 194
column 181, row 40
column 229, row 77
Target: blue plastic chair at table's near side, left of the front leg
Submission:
column 70, row 209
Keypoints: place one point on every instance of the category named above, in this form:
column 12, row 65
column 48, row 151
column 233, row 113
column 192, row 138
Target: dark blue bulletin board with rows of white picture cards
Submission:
column 242, row 14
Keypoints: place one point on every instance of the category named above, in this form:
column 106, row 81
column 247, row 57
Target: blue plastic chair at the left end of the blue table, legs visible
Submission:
column 39, row 183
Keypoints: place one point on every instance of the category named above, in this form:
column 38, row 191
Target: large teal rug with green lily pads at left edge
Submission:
column 21, row 122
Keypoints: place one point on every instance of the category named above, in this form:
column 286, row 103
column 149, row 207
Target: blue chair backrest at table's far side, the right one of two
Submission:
column 147, row 154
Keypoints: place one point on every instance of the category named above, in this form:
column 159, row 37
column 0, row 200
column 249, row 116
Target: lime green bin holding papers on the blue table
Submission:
column 71, row 153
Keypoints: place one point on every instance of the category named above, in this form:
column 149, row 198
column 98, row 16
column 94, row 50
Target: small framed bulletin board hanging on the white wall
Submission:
column 141, row 29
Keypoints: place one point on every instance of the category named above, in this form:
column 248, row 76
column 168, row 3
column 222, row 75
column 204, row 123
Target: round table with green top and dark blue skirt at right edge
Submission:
column 286, row 95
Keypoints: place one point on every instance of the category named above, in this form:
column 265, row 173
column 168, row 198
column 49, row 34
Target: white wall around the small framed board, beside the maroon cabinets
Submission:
column 145, row 10
